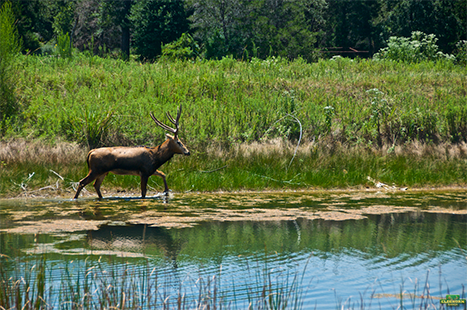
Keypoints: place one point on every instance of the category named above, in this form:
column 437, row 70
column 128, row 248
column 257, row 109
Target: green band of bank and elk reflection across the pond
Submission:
column 378, row 235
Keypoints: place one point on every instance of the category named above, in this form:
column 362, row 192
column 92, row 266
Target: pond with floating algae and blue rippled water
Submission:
column 334, row 249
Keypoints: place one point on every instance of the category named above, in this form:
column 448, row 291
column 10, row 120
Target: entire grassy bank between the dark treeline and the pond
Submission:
column 397, row 123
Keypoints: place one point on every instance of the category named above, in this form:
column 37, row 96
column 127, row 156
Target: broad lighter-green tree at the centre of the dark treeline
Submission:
column 264, row 28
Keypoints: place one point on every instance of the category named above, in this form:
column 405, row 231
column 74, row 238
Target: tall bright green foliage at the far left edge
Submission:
column 9, row 47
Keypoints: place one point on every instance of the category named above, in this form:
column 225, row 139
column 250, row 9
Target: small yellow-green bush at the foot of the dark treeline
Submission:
column 184, row 48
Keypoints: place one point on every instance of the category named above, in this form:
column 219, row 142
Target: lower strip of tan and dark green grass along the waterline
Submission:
column 32, row 169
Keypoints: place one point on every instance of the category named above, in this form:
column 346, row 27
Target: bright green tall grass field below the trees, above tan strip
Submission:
column 229, row 101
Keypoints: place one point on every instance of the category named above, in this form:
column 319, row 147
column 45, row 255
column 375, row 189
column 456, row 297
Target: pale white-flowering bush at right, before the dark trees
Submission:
column 419, row 47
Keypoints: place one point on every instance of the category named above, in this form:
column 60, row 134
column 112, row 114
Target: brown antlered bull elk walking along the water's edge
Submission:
column 141, row 160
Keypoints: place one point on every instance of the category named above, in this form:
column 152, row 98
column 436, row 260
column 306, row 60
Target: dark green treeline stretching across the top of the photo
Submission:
column 242, row 29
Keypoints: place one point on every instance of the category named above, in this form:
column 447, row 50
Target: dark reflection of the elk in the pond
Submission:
column 136, row 238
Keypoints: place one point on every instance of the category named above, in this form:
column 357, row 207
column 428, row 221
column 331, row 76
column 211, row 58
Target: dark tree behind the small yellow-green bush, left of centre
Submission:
column 157, row 22
